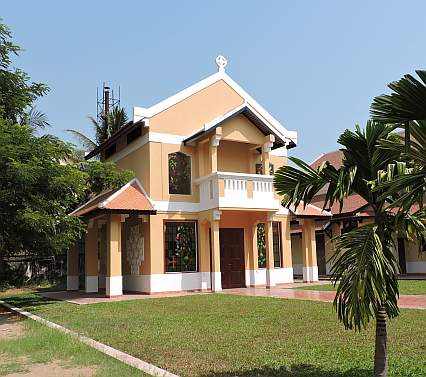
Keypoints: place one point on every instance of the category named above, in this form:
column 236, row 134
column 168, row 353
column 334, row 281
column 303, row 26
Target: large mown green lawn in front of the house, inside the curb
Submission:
column 224, row 335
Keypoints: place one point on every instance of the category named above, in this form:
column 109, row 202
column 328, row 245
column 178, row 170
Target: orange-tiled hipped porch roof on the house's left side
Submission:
column 129, row 199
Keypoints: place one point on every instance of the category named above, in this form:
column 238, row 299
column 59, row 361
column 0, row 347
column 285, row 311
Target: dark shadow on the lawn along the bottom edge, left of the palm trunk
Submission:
column 300, row 370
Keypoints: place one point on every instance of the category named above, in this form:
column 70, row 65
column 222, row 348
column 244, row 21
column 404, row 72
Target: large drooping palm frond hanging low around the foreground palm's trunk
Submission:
column 363, row 267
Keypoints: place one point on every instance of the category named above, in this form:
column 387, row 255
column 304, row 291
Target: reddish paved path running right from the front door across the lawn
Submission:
column 405, row 301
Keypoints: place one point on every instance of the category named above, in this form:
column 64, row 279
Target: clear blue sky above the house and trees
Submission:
column 314, row 65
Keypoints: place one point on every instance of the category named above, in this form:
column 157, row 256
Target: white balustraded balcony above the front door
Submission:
column 237, row 190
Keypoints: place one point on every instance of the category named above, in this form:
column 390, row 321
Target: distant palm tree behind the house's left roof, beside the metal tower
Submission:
column 109, row 123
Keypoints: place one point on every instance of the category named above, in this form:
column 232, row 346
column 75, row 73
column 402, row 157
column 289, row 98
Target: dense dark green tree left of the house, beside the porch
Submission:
column 36, row 192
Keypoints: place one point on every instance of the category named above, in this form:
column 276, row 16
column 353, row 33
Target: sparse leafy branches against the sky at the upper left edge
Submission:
column 17, row 93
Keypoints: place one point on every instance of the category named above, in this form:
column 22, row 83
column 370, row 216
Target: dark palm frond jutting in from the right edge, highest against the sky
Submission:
column 406, row 102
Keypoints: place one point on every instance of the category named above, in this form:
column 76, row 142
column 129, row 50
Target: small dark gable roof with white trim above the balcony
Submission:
column 252, row 115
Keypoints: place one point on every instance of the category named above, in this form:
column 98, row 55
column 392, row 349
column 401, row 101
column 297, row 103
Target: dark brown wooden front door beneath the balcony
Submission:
column 232, row 257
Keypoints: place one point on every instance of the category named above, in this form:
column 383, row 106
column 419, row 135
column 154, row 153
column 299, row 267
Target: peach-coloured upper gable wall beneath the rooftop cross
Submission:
column 189, row 115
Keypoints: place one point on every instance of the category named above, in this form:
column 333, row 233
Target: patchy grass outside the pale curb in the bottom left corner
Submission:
column 40, row 344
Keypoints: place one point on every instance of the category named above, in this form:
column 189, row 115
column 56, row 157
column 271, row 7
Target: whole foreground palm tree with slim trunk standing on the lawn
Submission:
column 363, row 264
